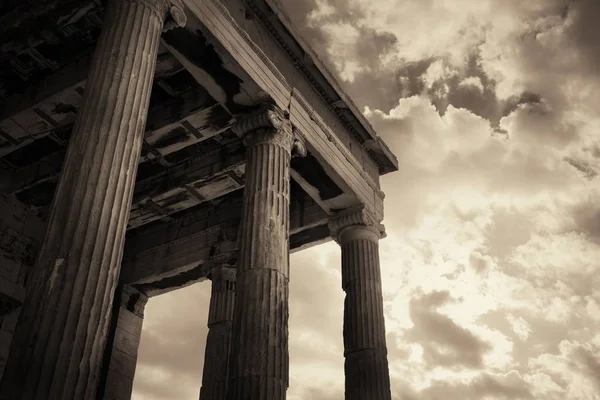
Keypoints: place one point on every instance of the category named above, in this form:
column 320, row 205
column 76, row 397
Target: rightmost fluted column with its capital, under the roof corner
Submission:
column 365, row 351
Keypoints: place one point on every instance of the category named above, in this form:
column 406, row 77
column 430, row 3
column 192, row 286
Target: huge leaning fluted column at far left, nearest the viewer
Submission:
column 60, row 337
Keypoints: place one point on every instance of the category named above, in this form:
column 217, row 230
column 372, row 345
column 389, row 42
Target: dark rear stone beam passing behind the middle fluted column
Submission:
column 164, row 256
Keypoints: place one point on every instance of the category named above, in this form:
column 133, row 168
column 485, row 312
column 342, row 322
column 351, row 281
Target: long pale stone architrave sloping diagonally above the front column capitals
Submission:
column 227, row 29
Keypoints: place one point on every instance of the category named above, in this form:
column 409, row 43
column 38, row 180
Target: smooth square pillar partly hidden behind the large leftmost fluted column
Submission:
column 120, row 355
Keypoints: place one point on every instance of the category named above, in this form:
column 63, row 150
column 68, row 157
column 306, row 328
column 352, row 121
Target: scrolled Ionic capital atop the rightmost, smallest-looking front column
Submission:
column 355, row 223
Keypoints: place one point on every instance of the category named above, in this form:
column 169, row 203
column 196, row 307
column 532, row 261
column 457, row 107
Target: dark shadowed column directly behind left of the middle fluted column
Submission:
column 218, row 343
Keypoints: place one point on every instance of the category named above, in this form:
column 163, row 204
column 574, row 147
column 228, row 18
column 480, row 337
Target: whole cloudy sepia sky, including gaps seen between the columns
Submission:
column 491, row 265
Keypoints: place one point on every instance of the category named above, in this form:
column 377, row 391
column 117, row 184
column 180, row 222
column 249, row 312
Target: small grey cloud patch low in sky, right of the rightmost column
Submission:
column 444, row 342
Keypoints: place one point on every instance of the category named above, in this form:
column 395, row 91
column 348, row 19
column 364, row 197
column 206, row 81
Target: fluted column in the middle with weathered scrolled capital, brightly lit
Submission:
column 260, row 359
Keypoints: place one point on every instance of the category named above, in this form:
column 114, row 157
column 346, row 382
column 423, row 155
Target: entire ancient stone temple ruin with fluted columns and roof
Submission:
column 149, row 144
